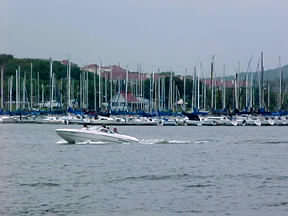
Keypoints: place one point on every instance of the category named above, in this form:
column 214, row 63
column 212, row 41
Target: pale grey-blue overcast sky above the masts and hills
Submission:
column 170, row 34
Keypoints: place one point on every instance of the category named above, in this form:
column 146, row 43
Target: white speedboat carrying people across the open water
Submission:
column 94, row 134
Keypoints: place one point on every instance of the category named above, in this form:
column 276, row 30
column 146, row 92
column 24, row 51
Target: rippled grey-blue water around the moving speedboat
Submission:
column 172, row 171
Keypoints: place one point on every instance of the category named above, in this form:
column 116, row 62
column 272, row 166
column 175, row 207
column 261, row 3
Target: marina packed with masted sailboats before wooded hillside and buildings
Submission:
column 60, row 92
